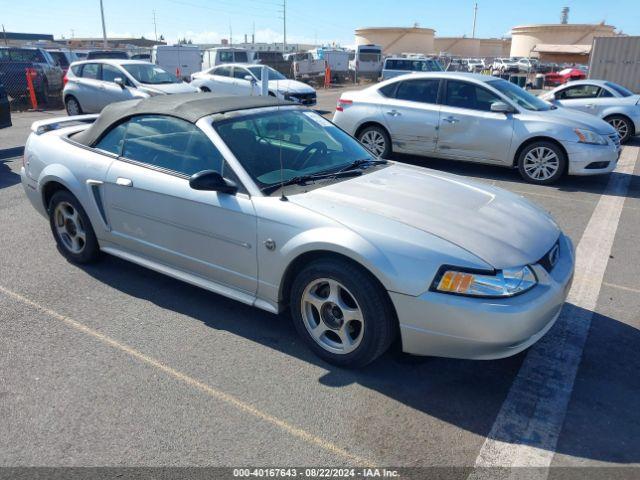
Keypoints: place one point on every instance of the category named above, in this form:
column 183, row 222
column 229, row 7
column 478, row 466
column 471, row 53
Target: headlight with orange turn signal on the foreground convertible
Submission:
column 502, row 283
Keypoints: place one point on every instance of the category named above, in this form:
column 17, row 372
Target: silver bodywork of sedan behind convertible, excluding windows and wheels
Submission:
column 454, row 133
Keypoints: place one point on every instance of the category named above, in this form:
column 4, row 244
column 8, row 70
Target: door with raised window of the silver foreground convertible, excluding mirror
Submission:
column 154, row 214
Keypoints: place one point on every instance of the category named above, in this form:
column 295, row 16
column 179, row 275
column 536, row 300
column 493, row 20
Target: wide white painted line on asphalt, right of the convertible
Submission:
column 526, row 431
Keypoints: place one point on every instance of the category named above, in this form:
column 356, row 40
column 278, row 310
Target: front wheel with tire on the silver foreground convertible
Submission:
column 342, row 314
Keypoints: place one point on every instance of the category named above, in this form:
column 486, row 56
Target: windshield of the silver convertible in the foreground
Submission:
column 279, row 145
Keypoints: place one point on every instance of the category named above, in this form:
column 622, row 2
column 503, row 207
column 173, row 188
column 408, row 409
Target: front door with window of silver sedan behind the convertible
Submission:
column 468, row 129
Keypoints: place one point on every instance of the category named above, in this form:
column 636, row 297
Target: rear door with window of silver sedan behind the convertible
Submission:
column 411, row 114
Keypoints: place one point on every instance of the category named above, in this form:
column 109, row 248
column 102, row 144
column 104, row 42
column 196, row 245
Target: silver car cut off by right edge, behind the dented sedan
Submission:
column 614, row 103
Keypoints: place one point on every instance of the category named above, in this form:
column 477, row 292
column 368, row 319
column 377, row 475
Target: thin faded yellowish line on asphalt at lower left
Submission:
column 203, row 387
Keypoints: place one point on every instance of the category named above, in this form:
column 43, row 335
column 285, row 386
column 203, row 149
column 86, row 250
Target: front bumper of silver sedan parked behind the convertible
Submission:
column 583, row 157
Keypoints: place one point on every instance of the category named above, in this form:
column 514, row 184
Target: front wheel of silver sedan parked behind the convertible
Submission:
column 542, row 163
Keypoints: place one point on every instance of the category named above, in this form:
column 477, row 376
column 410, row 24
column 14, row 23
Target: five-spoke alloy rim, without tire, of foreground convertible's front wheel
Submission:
column 332, row 316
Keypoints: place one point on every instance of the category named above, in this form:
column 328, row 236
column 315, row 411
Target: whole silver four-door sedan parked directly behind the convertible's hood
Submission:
column 478, row 118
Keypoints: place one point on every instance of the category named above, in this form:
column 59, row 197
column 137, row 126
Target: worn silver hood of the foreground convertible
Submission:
column 502, row 229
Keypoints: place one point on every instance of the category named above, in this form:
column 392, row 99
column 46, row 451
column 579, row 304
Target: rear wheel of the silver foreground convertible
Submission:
column 72, row 228
